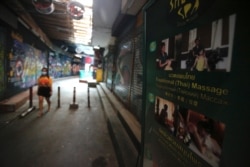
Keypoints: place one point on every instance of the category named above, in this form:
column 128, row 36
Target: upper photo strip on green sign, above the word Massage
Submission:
column 202, row 49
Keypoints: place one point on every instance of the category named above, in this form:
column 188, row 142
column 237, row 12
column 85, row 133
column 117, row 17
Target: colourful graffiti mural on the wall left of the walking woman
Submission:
column 25, row 63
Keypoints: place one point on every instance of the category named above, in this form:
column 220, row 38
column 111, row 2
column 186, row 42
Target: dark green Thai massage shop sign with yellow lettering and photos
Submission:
column 189, row 53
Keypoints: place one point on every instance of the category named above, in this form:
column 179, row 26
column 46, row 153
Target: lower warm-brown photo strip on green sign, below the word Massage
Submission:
column 203, row 135
